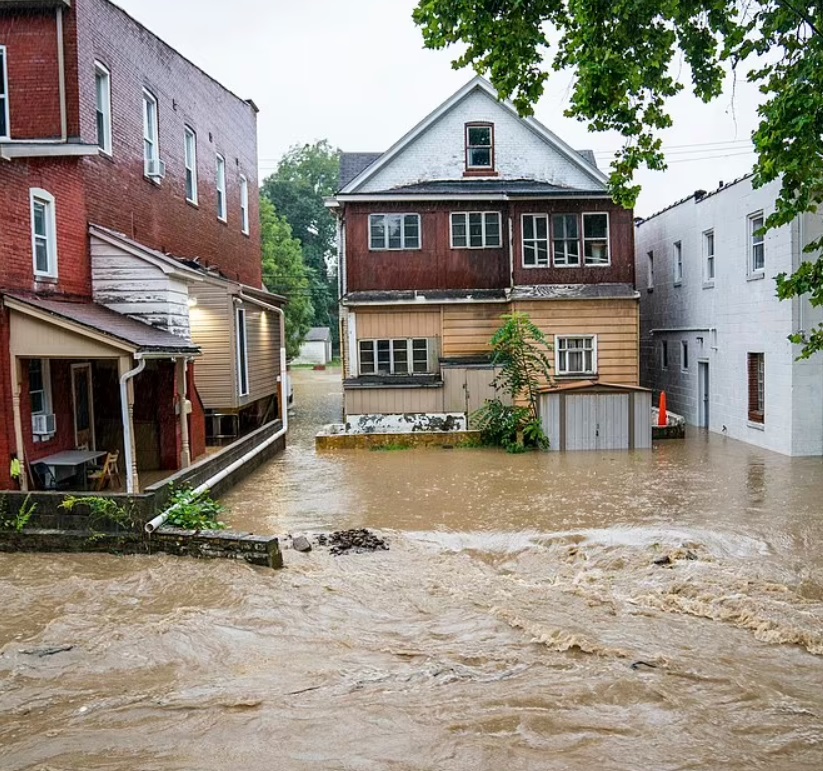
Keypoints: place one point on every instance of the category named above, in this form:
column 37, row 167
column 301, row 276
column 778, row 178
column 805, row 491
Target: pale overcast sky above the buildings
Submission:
column 355, row 72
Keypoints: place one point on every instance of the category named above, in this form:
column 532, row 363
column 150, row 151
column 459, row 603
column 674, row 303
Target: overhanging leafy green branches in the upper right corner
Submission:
column 625, row 55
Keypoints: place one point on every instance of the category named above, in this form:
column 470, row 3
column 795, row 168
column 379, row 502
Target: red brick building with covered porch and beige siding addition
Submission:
column 133, row 316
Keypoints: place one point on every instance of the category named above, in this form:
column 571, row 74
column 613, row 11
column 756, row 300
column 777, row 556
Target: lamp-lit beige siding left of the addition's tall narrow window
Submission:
column 212, row 329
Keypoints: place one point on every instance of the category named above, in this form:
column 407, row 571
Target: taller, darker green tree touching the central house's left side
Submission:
column 305, row 176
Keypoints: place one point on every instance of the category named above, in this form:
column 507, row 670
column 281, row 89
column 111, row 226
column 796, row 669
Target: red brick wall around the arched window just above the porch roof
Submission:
column 62, row 178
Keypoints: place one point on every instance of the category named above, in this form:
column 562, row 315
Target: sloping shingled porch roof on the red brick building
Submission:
column 102, row 321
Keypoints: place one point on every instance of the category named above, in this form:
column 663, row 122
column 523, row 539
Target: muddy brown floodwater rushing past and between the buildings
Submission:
column 503, row 629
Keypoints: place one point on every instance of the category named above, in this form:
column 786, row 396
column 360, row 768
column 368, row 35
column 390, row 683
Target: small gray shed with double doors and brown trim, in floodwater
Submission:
column 592, row 415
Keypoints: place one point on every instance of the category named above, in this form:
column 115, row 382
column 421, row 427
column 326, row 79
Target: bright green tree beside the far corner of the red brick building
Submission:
column 284, row 272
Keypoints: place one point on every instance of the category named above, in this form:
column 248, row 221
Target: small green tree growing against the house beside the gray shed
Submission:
column 521, row 352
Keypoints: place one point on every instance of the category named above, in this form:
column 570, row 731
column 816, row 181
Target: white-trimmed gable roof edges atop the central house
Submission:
column 478, row 83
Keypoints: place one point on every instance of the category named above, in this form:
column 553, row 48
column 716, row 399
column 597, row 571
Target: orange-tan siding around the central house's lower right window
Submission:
column 615, row 322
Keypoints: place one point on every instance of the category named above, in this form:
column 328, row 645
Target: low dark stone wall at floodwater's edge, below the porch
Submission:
column 254, row 549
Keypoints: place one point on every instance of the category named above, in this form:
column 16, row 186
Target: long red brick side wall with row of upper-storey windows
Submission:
column 120, row 197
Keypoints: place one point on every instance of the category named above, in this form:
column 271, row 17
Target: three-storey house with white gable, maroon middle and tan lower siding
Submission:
column 476, row 213
